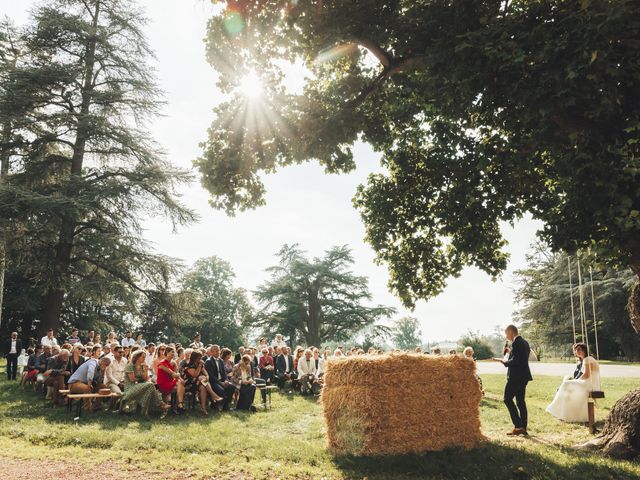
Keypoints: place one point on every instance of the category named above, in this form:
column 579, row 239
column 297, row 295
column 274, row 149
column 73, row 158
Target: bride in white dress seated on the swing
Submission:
column 570, row 402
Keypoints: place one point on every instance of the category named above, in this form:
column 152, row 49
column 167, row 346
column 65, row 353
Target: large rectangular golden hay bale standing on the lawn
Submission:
column 398, row 404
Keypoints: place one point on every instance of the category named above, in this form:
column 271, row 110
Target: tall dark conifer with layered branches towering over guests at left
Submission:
column 84, row 169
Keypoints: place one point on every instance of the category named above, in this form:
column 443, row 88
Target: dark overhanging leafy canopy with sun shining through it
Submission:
column 482, row 110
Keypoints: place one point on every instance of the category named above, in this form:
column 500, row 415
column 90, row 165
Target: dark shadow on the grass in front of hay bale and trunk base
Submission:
column 492, row 461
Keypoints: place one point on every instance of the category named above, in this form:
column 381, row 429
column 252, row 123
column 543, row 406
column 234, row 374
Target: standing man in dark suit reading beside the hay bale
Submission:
column 518, row 375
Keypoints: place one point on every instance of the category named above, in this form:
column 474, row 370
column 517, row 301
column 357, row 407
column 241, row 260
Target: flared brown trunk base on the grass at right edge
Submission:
column 620, row 437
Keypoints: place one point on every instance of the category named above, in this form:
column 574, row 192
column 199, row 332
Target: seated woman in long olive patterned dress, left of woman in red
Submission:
column 138, row 389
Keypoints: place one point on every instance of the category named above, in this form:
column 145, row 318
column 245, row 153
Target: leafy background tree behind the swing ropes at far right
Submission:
column 545, row 292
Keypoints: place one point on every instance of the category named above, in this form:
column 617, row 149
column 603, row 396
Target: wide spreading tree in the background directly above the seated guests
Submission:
column 317, row 300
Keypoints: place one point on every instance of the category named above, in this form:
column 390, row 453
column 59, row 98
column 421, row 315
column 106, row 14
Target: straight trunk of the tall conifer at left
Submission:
column 54, row 297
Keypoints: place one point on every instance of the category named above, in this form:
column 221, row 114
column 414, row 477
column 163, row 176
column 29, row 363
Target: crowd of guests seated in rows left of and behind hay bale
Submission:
column 160, row 377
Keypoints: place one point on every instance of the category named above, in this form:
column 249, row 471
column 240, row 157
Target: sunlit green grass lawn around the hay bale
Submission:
column 288, row 442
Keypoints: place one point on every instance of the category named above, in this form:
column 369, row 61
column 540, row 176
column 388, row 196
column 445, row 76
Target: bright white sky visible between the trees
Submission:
column 304, row 205
